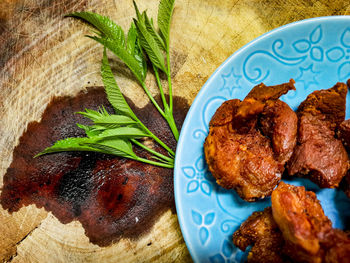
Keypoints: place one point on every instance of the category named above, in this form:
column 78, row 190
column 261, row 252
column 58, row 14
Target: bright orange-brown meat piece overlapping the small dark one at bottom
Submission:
column 300, row 217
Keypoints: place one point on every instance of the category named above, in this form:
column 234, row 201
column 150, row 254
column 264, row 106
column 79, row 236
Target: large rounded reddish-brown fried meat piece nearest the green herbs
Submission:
column 244, row 157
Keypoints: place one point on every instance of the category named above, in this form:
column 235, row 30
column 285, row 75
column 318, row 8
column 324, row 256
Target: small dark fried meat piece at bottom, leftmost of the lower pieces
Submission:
column 261, row 232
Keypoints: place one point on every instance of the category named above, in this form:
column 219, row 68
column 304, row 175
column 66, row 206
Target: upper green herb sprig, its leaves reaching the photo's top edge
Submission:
column 143, row 39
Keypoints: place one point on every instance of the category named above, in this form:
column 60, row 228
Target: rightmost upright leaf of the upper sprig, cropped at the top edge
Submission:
column 165, row 11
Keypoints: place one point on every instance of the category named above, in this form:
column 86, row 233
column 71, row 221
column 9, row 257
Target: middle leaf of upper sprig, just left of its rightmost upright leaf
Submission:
column 150, row 45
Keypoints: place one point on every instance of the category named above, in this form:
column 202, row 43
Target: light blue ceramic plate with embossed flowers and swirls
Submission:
column 316, row 53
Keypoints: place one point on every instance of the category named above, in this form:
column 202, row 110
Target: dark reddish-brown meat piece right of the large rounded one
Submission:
column 318, row 154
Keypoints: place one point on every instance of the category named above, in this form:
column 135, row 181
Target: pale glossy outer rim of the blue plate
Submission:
column 199, row 96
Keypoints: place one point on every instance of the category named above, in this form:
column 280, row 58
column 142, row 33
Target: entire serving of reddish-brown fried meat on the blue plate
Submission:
column 251, row 142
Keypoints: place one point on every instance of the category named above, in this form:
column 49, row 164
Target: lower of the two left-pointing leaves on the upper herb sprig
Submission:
column 135, row 65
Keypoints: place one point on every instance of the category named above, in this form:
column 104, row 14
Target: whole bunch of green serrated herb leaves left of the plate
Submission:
column 116, row 133
